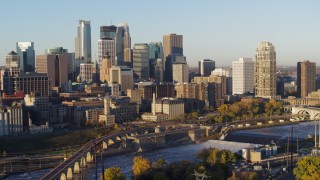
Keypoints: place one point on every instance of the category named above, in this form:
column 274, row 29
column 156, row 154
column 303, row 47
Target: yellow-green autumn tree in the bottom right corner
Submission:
column 308, row 168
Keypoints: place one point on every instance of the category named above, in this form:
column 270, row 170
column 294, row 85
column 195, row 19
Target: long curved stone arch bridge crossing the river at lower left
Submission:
column 73, row 167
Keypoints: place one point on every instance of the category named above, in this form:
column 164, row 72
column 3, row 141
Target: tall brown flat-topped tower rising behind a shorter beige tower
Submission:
column 172, row 45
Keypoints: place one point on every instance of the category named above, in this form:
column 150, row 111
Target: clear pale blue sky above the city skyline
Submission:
column 222, row 30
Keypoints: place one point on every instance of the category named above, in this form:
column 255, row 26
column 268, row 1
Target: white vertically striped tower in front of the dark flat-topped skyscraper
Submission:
column 106, row 47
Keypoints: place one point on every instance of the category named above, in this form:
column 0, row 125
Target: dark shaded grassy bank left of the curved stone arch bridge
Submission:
column 47, row 143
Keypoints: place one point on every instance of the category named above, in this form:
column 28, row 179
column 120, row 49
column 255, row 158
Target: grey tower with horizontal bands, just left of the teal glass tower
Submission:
column 141, row 61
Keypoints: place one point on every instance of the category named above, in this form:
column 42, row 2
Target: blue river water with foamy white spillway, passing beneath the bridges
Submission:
column 185, row 152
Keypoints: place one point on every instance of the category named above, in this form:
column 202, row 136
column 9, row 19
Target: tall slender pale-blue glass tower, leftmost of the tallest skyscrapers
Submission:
column 83, row 43
